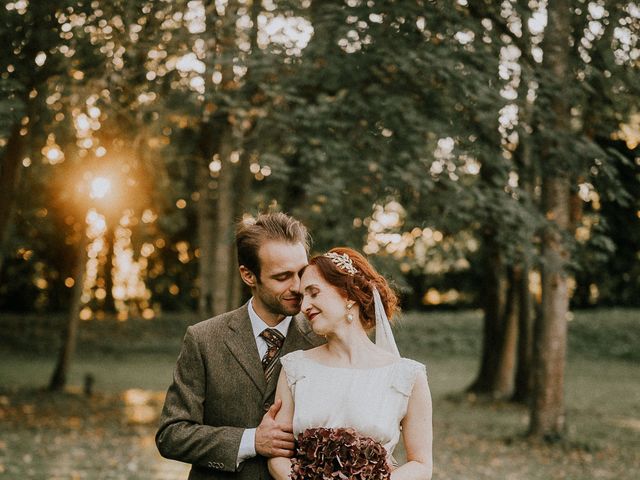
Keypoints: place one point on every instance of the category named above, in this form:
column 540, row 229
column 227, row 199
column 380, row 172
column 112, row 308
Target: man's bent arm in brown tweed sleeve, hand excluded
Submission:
column 182, row 435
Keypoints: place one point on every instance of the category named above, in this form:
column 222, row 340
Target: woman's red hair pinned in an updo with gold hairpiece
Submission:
column 359, row 286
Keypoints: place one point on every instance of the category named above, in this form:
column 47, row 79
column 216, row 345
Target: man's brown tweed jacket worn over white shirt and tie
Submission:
column 218, row 391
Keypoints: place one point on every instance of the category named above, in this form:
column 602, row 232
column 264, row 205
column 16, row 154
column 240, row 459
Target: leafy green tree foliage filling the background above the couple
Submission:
column 388, row 102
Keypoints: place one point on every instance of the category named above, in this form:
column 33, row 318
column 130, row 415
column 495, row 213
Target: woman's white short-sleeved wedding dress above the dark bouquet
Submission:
column 373, row 401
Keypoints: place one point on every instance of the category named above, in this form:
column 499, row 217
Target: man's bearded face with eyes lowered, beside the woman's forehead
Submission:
column 277, row 291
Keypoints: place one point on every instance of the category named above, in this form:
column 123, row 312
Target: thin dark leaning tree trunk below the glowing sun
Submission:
column 70, row 333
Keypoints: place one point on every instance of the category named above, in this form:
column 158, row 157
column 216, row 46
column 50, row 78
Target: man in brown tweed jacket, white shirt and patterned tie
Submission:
column 219, row 413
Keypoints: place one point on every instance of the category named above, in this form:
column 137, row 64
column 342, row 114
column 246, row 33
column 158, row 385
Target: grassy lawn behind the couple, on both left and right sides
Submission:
column 111, row 434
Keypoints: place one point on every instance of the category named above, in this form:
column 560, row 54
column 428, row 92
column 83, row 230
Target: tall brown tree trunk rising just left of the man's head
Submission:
column 216, row 216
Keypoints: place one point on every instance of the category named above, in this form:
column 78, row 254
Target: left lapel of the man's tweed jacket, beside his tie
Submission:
column 242, row 345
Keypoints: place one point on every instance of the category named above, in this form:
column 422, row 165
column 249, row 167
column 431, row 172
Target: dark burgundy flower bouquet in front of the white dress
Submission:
column 338, row 453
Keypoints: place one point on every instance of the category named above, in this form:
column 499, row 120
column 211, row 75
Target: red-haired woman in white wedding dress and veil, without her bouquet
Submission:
column 351, row 381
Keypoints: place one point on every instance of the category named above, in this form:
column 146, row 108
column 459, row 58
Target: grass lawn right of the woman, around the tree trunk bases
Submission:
column 474, row 439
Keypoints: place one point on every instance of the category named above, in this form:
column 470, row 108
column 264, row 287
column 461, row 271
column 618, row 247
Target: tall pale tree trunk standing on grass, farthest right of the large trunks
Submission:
column 547, row 411
